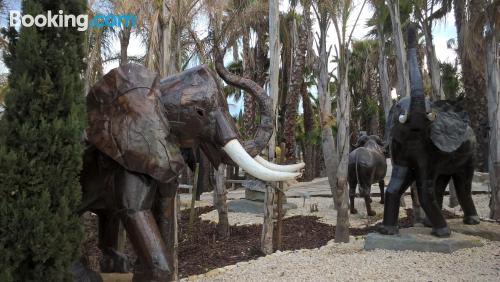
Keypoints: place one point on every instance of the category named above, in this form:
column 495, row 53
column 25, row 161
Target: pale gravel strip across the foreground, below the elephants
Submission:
column 348, row 262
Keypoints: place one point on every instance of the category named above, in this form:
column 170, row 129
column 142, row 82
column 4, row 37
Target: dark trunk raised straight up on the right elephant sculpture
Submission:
column 417, row 97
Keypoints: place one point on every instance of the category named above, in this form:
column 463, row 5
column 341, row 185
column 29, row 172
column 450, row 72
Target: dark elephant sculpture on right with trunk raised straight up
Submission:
column 429, row 144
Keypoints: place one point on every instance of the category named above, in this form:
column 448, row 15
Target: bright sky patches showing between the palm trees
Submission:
column 442, row 32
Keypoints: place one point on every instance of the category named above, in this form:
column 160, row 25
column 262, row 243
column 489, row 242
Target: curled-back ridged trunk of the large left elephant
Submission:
column 265, row 129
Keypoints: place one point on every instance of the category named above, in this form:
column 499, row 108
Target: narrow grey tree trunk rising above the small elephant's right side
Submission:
column 382, row 70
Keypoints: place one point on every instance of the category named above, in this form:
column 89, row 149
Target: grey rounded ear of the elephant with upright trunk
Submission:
column 451, row 128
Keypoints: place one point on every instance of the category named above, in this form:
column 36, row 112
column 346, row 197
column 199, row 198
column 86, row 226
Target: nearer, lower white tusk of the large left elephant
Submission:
column 238, row 154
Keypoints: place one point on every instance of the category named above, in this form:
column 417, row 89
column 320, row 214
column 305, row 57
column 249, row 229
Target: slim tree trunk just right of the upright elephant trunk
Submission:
column 432, row 63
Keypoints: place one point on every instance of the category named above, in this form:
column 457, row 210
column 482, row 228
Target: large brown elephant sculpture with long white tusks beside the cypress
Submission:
column 137, row 128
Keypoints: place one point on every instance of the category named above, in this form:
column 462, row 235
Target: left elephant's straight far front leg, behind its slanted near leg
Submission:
column 165, row 213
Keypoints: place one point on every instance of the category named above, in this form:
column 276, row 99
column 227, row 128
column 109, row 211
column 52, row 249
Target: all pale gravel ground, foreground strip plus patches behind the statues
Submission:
column 349, row 262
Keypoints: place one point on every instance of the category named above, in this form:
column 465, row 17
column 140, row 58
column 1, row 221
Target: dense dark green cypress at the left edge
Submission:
column 41, row 148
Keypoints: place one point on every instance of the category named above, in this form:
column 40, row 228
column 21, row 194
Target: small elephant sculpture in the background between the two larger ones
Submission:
column 367, row 165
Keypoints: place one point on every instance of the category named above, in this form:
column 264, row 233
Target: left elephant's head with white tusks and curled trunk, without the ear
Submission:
column 197, row 110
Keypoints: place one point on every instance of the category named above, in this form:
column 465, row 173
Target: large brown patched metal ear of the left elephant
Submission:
column 127, row 122
